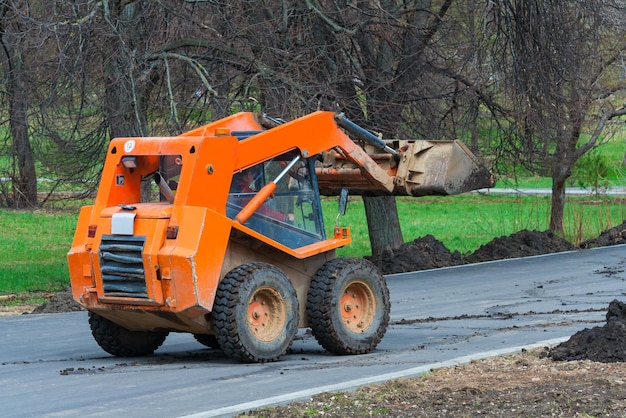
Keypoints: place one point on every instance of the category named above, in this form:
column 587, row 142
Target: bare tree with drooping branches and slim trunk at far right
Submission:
column 561, row 62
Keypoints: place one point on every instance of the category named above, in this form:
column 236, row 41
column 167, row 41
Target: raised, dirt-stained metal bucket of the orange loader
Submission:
column 440, row 168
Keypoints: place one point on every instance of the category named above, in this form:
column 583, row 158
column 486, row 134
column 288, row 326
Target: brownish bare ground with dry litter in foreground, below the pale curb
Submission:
column 525, row 385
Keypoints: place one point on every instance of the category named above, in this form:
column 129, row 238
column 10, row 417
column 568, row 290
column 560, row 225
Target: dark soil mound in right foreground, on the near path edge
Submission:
column 605, row 344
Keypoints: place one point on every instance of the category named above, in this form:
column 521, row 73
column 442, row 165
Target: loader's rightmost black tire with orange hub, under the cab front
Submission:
column 348, row 306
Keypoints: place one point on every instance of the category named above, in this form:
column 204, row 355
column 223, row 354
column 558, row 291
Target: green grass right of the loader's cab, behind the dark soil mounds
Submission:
column 464, row 223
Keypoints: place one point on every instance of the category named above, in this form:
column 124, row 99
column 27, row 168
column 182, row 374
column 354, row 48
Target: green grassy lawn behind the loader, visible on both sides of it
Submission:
column 35, row 244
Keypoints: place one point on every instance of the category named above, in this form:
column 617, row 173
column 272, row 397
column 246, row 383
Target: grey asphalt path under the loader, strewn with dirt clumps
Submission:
column 50, row 365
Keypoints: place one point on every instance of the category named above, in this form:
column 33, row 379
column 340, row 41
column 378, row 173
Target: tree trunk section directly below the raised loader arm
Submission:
column 382, row 223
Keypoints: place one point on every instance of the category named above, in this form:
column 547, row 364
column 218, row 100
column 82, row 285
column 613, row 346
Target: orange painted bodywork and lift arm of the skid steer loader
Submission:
column 184, row 245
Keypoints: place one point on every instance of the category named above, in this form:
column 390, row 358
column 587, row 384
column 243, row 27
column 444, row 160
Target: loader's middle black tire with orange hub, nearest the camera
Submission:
column 255, row 314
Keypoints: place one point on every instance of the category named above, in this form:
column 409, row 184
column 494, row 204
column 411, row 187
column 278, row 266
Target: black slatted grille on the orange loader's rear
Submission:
column 121, row 266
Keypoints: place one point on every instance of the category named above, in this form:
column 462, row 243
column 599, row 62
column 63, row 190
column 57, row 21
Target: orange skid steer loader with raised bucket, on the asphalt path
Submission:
column 218, row 232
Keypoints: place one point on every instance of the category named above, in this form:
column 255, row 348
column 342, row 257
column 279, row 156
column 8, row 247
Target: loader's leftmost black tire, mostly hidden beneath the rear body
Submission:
column 121, row 342
